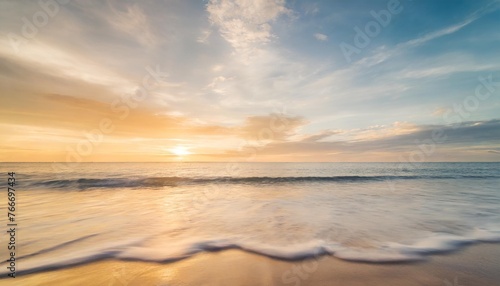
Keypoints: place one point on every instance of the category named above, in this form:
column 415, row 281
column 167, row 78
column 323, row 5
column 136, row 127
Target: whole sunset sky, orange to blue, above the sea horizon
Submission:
column 250, row 81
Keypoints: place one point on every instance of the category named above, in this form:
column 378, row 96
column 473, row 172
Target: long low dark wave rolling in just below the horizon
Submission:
column 155, row 182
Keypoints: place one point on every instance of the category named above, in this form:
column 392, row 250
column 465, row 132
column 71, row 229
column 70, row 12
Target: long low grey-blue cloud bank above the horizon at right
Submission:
column 456, row 141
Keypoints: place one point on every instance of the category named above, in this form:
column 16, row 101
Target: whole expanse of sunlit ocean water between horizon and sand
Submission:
column 161, row 212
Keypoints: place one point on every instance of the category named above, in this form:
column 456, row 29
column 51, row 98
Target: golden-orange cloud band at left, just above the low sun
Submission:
column 71, row 113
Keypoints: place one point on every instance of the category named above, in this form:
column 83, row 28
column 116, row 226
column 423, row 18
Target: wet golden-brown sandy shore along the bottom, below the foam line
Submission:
column 476, row 265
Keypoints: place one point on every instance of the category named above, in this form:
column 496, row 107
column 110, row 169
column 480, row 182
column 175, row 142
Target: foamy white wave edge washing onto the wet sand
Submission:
column 138, row 250
